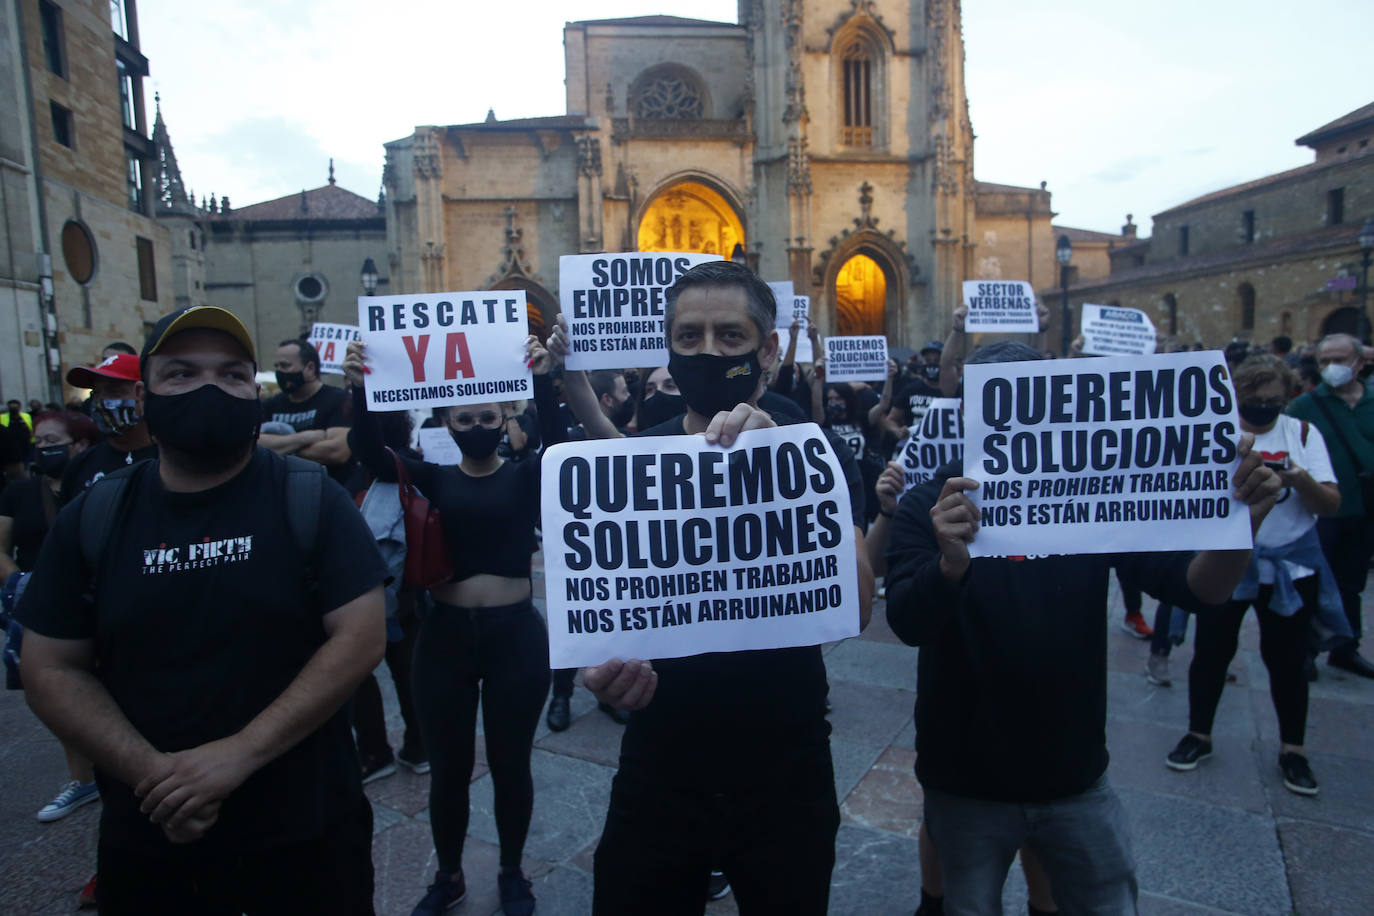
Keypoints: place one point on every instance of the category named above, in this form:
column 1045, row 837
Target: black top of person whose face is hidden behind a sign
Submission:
column 1012, row 680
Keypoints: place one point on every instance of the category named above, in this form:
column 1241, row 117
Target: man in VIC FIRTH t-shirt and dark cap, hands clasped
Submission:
column 194, row 627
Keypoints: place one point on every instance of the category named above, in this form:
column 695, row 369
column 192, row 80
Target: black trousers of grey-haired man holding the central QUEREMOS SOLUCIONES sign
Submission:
column 776, row 843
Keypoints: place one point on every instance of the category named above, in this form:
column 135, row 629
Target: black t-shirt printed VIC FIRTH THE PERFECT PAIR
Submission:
column 203, row 620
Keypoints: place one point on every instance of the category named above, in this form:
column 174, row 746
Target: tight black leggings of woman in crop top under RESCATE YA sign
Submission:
column 499, row 657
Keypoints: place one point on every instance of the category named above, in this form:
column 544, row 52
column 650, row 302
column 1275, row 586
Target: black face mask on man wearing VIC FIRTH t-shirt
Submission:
column 208, row 428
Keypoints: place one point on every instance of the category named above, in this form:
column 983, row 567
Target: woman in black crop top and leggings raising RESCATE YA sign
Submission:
column 483, row 642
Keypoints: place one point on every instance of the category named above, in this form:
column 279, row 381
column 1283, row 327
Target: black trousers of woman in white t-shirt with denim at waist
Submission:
column 1283, row 646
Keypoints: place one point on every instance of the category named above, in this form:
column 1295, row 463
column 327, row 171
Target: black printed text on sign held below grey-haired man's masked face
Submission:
column 776, row 549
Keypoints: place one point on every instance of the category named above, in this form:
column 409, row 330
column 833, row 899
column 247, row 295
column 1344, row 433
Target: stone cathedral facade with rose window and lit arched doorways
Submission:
column 826, row 142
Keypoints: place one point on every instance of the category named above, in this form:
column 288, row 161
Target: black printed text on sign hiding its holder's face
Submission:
column 1137, row 468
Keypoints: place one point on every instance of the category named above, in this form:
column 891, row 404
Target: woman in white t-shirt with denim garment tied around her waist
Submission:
column 1288, row 582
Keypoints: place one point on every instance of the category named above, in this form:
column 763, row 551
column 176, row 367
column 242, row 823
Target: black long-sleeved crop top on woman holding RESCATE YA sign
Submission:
column 488, row 521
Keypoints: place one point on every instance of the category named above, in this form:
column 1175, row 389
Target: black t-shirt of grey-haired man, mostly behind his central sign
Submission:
column 730, row 720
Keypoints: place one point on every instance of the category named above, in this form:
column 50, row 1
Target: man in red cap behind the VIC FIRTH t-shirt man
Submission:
column 116, row 413
